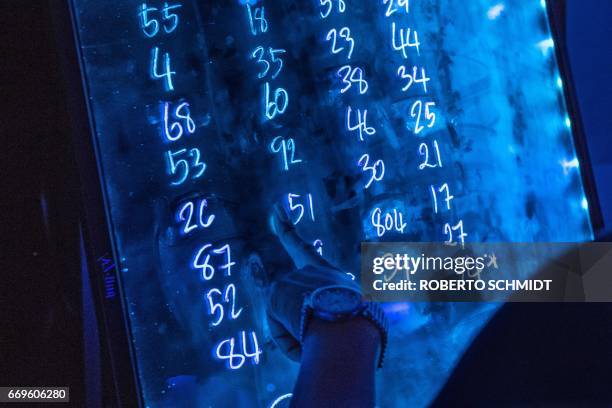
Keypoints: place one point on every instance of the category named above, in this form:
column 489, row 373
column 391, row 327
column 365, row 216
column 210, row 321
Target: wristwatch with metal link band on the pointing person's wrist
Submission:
column 341, row 303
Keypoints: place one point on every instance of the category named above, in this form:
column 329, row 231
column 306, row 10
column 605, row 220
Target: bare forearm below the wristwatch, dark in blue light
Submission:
column 338, row 365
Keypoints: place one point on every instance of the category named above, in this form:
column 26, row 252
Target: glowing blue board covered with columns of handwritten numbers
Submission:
column 368, row 120
